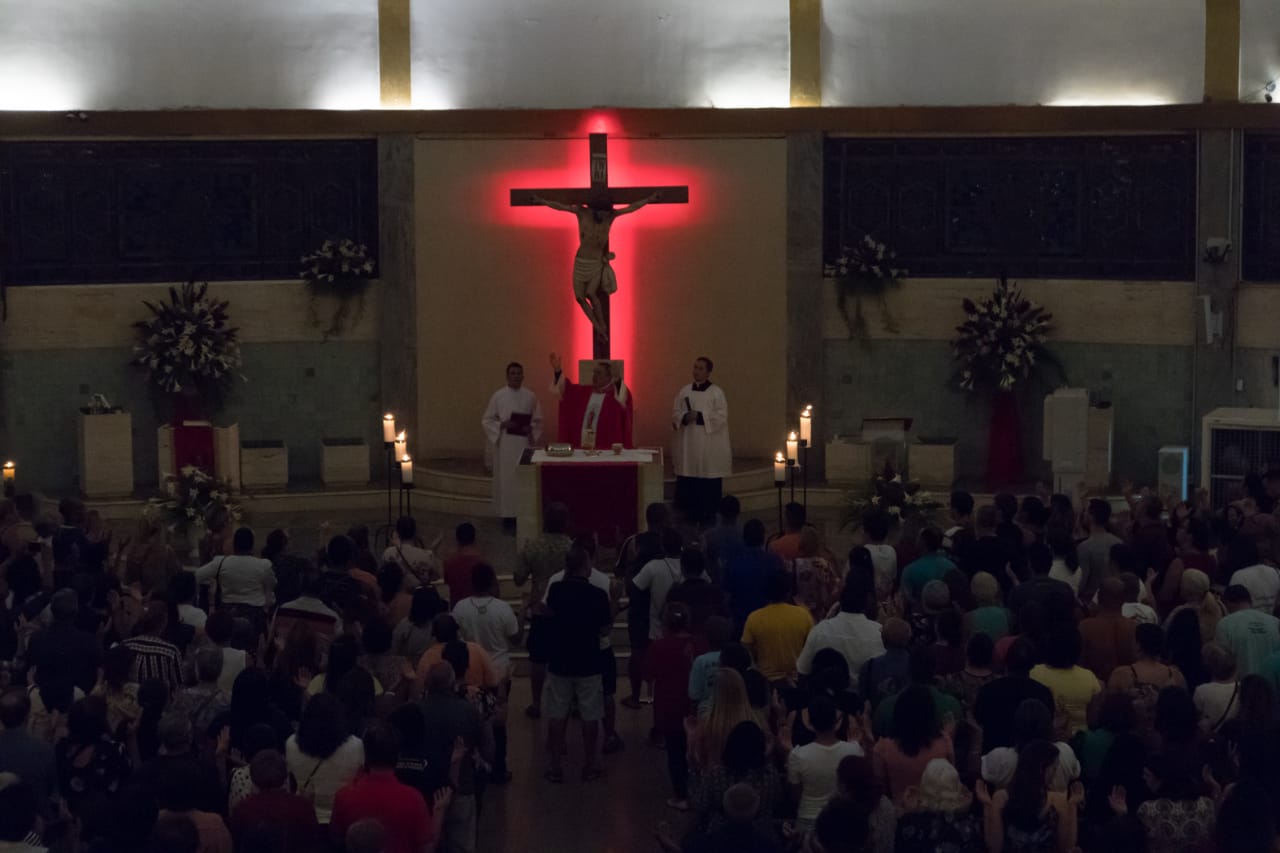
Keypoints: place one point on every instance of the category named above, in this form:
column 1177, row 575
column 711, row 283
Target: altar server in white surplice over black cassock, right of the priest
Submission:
column 702, row 454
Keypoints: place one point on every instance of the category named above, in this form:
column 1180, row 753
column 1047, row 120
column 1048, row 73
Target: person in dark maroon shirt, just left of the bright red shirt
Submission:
column 291, row 818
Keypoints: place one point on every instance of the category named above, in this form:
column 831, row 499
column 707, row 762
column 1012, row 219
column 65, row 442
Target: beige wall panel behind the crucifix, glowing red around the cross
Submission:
column 706, row 279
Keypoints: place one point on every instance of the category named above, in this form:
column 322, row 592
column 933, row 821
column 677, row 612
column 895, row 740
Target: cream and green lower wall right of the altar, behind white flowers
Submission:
column 1131, row 341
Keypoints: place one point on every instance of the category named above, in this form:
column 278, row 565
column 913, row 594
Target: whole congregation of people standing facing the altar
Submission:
column 1027, row 677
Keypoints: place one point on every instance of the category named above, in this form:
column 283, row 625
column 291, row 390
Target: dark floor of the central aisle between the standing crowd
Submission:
column 618, row 814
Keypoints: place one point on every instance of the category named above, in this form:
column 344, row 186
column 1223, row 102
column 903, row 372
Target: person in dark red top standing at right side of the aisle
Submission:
column 669, row 664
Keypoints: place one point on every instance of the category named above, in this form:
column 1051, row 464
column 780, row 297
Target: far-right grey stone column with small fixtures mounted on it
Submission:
column 1218, row 216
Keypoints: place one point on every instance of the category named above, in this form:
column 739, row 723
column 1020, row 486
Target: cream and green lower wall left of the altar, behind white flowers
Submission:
column 62, row 344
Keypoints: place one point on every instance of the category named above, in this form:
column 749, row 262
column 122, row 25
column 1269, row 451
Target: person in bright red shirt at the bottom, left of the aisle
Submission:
column 412, row 825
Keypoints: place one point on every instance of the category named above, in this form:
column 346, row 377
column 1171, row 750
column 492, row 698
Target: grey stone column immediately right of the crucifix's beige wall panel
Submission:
column 804, row 295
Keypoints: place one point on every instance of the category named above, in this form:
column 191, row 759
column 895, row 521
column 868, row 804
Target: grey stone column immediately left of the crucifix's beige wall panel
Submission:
column 397, row 323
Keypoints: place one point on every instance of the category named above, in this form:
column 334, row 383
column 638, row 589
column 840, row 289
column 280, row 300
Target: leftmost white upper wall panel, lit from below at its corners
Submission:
column 158, row 54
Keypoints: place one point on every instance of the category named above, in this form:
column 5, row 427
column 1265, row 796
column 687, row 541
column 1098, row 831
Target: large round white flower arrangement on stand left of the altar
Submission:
column 188, row 346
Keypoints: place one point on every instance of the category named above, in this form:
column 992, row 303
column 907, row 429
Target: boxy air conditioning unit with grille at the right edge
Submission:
column 1237, row 443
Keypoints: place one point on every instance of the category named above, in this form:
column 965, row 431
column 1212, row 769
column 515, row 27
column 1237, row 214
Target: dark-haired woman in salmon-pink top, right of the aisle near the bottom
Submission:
column 916, row 738
